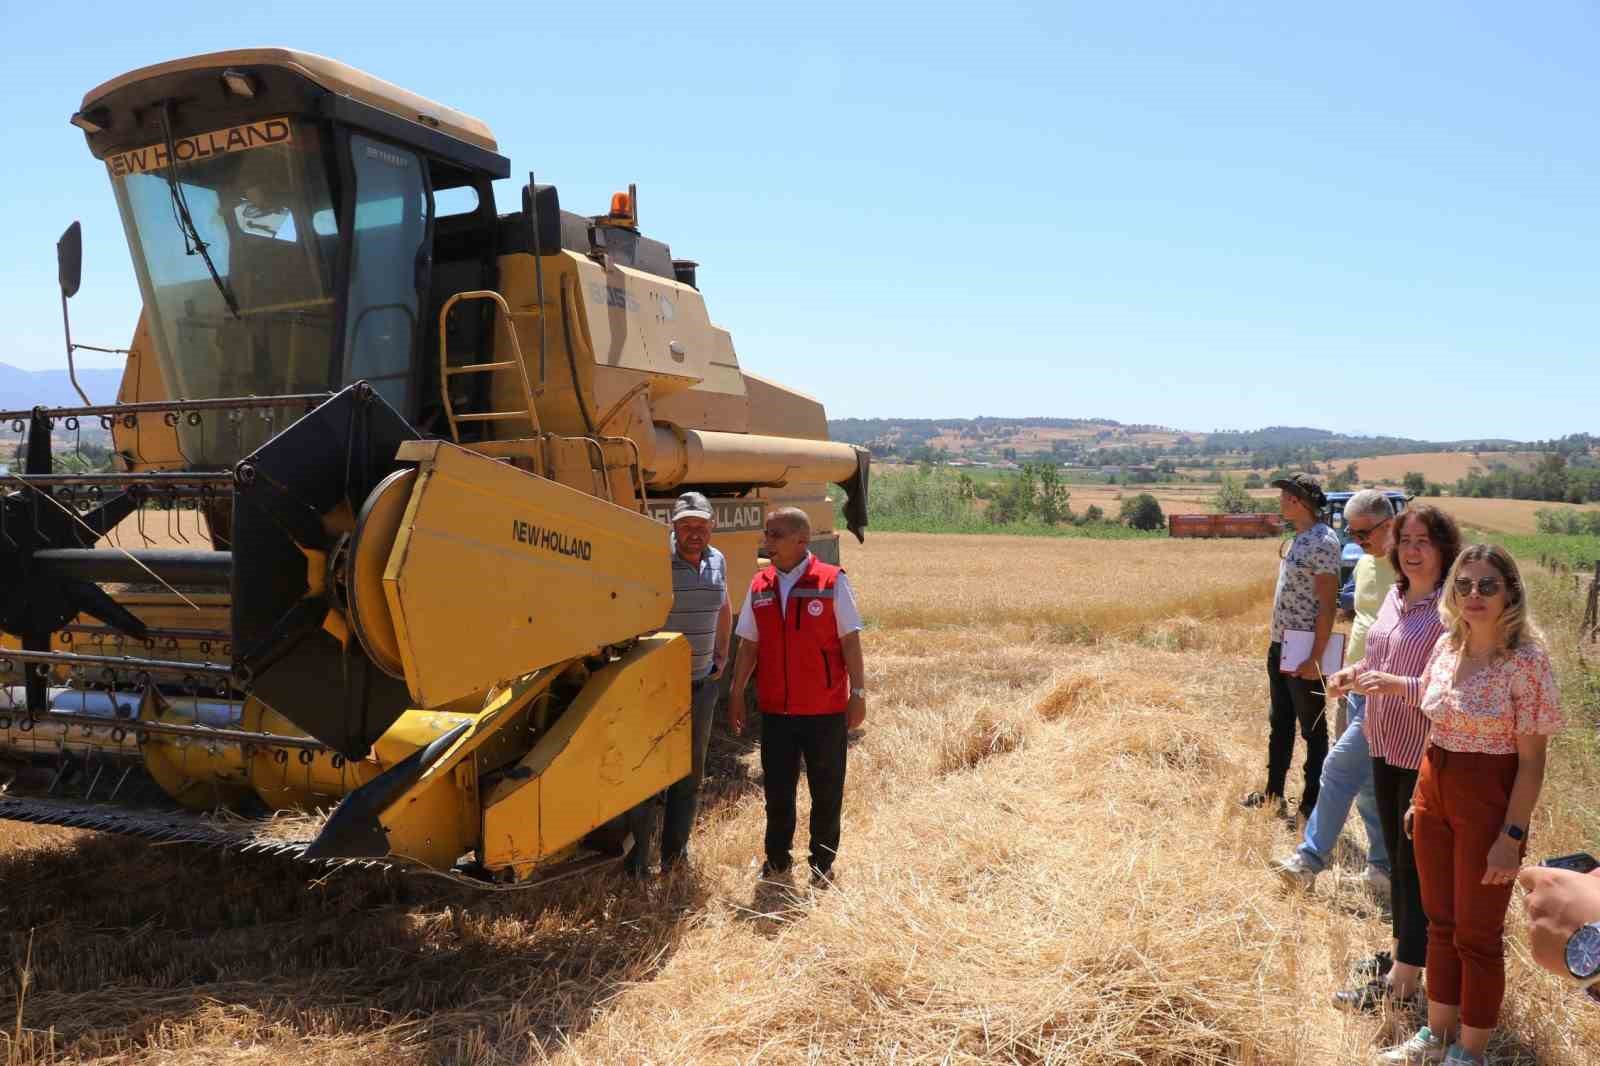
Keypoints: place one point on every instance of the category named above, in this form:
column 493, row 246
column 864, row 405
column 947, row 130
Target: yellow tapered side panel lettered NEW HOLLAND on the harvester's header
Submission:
column 498, row 572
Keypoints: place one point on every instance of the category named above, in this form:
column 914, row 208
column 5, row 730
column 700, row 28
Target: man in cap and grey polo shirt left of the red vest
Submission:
column 703, row 614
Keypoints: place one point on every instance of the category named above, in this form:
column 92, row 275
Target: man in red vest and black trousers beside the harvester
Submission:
column 801, row 636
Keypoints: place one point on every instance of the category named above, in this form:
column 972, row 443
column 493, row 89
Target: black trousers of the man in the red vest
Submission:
column 820, row 742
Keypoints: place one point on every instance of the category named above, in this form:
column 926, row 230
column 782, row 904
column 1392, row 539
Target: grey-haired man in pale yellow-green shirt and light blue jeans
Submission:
column 1348, row 772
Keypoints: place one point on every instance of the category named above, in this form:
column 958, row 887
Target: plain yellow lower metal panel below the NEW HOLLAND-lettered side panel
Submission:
column 625, row 739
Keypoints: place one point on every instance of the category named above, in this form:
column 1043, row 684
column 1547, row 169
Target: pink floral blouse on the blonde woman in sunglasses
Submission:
column 1486, row 713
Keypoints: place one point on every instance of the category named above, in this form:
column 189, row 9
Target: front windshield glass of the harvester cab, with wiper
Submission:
column 265, row 326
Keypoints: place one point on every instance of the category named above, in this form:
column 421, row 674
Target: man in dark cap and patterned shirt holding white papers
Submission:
column 1305, row 599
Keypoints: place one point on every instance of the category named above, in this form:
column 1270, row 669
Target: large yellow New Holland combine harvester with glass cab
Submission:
column 433, row 446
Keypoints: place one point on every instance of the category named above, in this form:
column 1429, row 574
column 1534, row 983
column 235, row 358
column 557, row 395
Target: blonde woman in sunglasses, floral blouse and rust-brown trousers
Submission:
column 1492, row 703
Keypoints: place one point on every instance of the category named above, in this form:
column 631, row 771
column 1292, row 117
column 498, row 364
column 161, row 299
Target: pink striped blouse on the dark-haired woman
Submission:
column 1401, row 643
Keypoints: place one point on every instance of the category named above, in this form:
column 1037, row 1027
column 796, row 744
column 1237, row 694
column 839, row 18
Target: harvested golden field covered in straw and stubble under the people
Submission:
column 1044, row 862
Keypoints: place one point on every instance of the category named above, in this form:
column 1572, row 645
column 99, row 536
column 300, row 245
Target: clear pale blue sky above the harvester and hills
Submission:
column 1372, row 218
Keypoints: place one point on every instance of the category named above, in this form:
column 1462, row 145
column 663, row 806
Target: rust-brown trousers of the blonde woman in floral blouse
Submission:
column 1462, row 801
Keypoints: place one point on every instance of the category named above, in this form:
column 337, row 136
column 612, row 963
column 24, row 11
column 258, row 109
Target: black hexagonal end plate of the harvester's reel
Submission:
column 294, row 502
